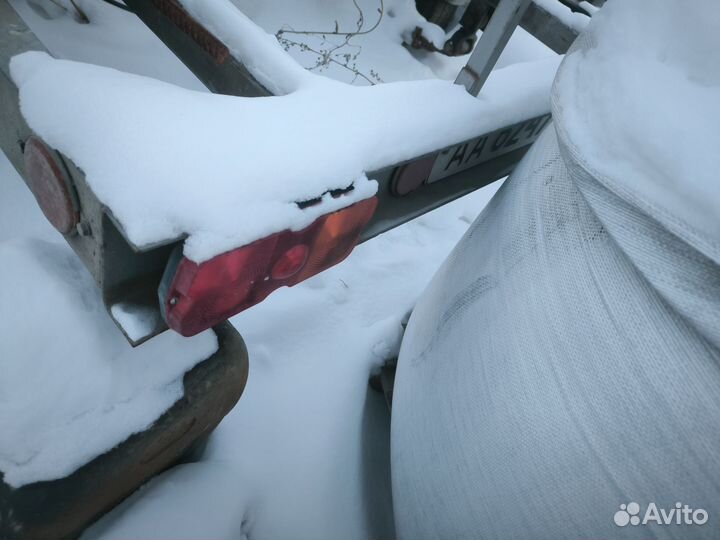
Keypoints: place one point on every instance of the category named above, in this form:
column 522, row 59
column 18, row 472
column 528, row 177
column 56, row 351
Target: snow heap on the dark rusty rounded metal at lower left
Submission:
column 71, row 388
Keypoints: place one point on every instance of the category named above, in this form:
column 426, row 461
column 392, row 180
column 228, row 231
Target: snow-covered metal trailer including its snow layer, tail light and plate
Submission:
column 450, row 146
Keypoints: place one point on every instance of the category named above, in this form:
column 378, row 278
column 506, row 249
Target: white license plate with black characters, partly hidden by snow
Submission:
column 486, row 147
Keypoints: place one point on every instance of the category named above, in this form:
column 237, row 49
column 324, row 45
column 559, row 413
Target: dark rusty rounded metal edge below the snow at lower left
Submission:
column 61, row 509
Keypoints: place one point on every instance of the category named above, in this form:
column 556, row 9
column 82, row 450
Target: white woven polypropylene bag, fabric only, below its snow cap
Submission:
column 560, row 377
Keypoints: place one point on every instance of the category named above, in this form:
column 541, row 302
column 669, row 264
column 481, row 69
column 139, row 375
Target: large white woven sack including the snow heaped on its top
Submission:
column 574, row 331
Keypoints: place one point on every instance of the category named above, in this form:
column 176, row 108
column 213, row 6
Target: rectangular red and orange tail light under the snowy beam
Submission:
column 194, row 297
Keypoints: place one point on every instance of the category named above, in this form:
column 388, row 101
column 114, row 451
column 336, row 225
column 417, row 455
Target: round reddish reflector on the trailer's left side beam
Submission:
column 49, row 182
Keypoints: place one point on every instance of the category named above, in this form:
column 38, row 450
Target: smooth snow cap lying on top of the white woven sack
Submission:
column 647, row 56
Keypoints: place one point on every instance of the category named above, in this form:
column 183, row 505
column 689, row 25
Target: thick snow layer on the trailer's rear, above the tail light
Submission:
column 226, row 170
